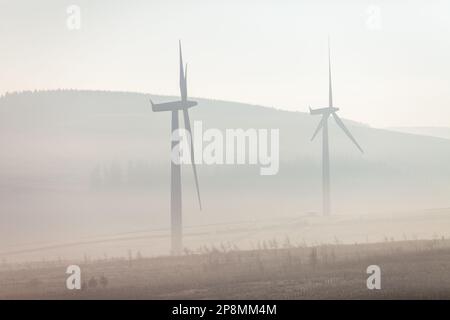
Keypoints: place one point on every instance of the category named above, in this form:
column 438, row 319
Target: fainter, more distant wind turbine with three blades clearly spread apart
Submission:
column 326, row 112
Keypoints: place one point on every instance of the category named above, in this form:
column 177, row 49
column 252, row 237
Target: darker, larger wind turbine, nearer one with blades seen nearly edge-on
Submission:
column 175, row 187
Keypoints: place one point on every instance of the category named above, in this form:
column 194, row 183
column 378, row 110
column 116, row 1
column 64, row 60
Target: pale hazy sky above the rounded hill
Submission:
column 390, row 58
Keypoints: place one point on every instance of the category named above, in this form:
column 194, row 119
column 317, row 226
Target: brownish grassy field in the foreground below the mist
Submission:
column 418, row 269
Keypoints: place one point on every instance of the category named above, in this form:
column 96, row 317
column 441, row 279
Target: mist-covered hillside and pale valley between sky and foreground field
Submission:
column 88, row 172
